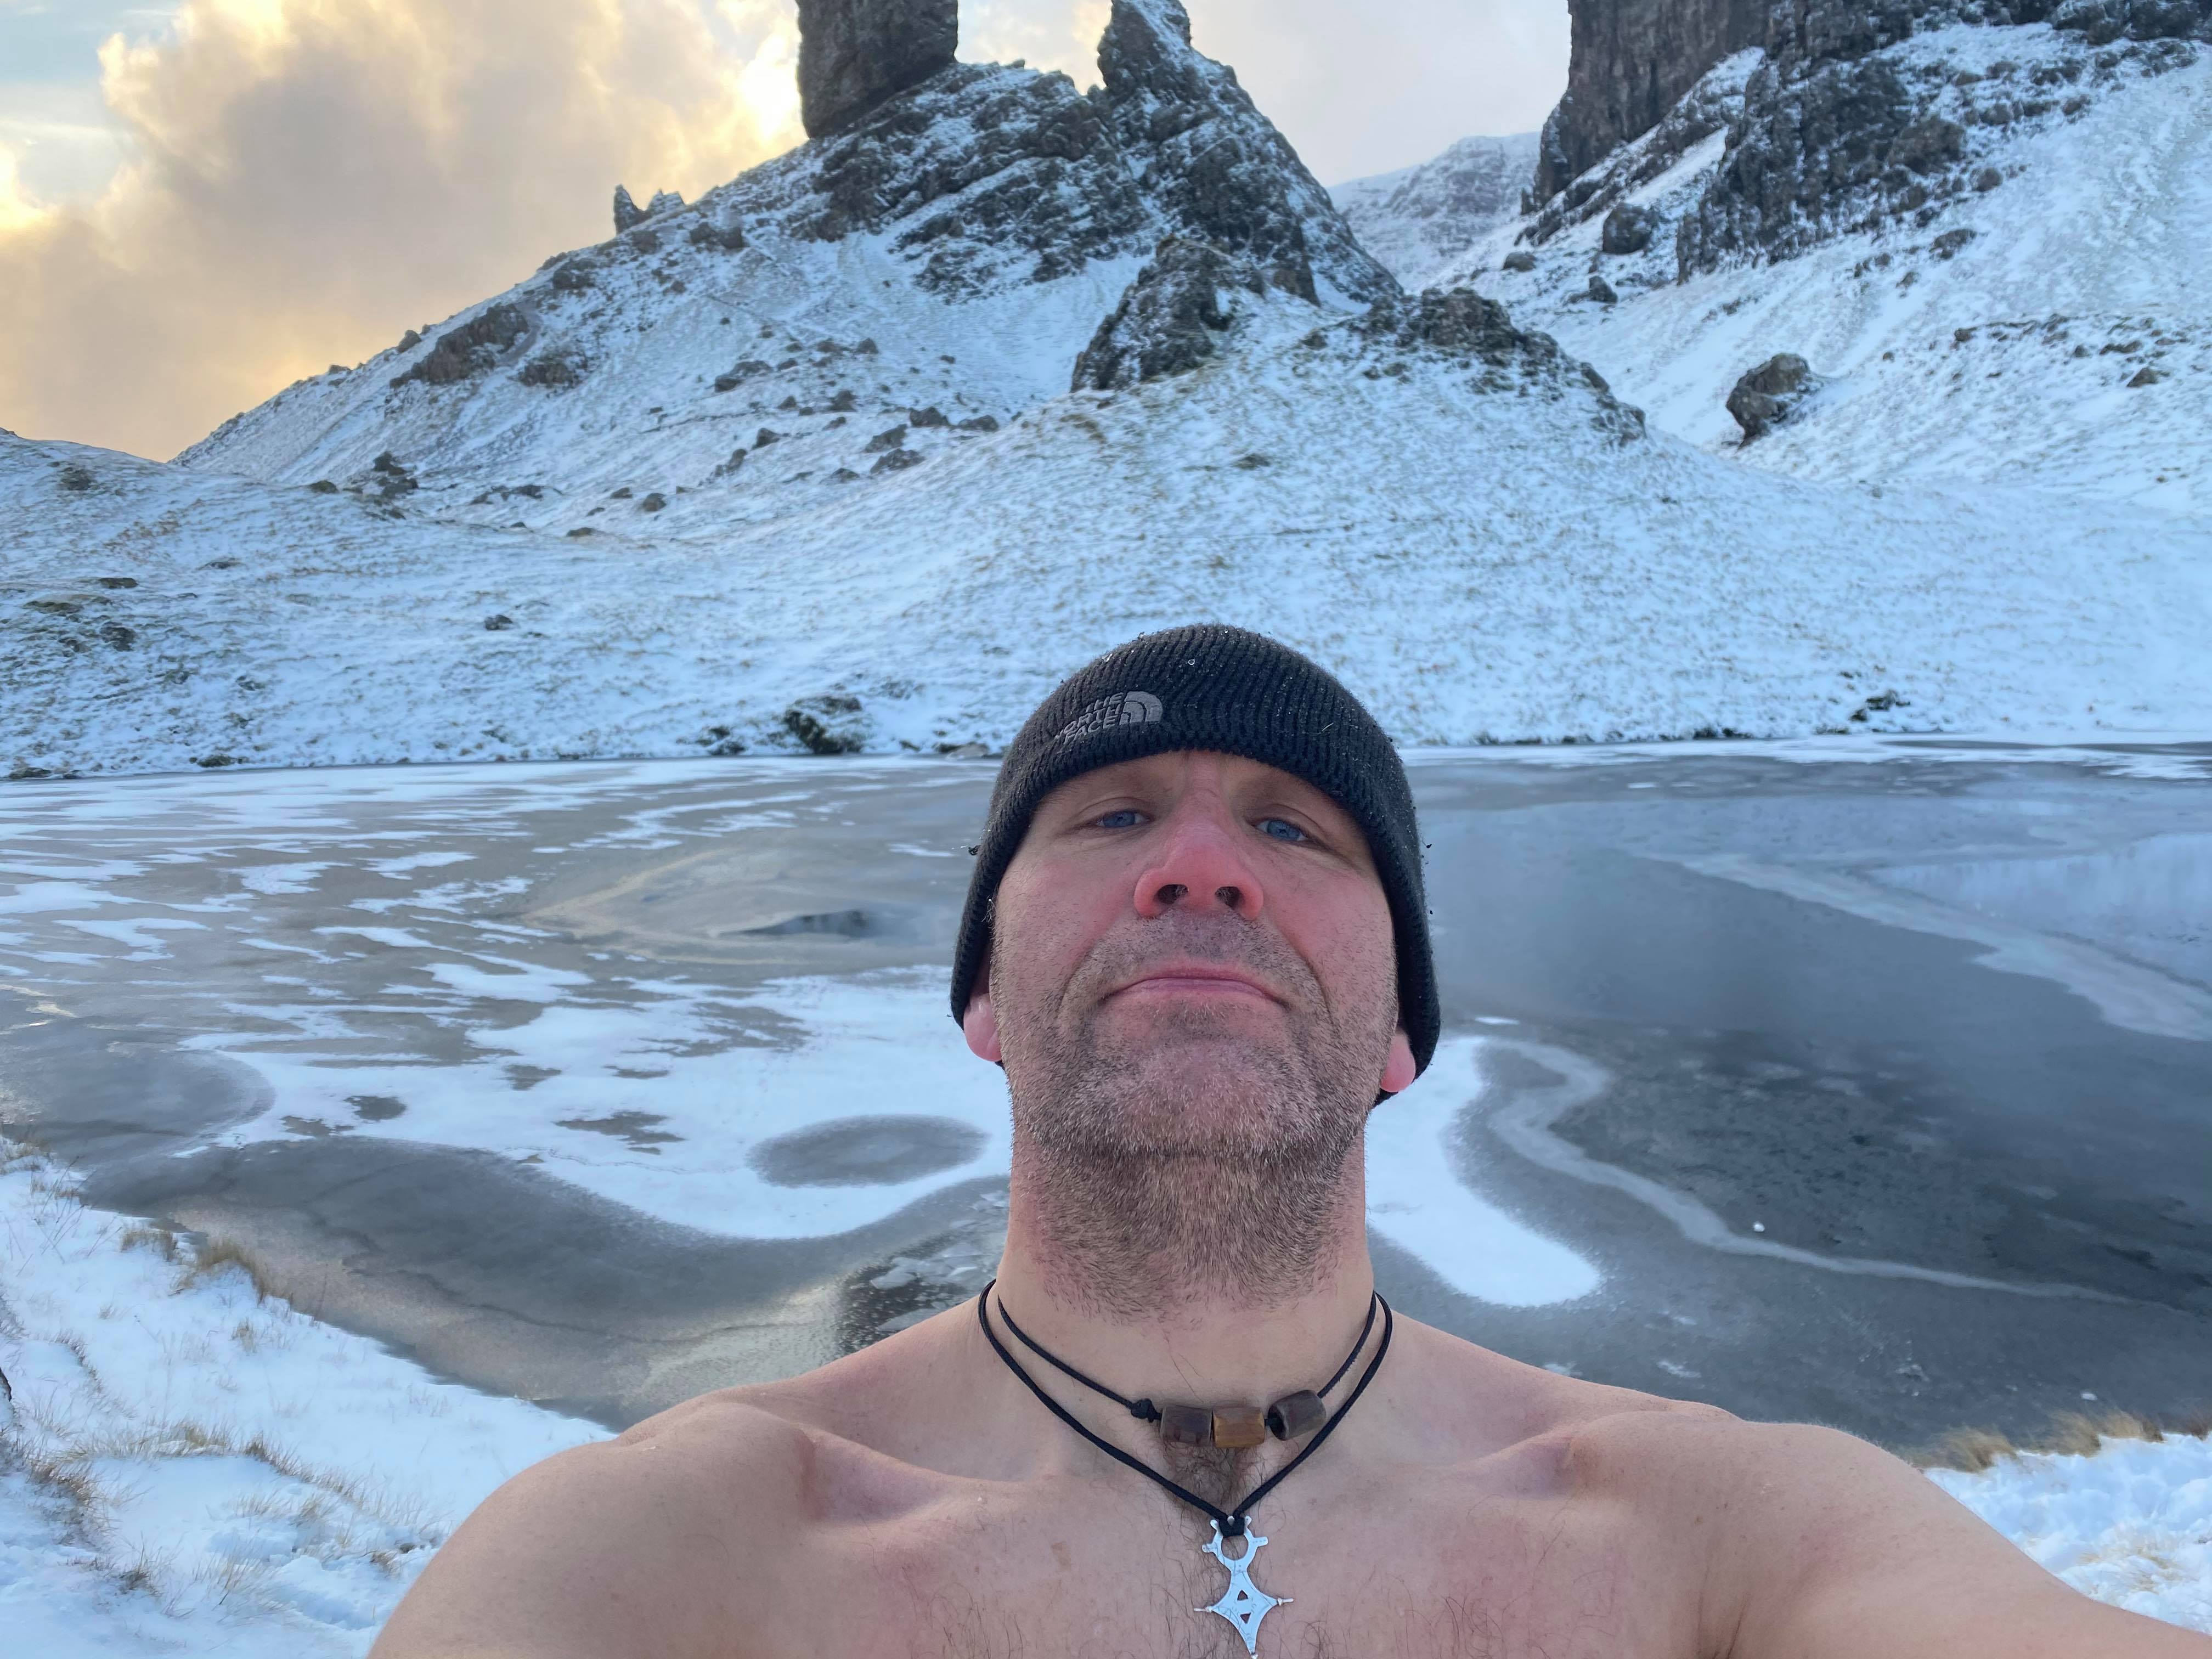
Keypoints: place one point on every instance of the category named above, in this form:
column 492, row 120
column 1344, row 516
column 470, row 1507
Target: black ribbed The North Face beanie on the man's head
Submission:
column 1231, row 693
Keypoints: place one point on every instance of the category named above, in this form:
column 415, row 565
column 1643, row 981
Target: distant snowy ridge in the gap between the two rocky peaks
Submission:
column 1421, row 222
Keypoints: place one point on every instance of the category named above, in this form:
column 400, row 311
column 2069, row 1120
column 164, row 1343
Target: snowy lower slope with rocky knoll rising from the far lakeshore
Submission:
column 1483, row 550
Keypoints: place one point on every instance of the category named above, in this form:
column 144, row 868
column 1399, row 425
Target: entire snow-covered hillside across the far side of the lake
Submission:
column 800, row 466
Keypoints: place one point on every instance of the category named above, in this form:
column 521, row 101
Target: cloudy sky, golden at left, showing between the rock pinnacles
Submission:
column 205, row 200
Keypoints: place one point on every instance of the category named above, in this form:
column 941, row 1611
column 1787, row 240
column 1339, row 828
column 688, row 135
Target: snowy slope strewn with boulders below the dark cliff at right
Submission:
column 2001, row 357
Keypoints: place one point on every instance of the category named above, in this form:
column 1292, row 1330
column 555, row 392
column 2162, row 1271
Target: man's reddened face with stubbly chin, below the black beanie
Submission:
column 1193, row 957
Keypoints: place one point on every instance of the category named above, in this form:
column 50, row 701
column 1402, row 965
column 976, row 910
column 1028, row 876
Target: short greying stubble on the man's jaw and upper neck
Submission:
column 1202, row 1162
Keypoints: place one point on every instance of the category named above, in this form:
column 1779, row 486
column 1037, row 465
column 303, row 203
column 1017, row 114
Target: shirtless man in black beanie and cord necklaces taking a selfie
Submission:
column 1198, row 946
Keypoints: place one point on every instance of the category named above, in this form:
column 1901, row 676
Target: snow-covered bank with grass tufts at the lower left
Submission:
column 189, row 1468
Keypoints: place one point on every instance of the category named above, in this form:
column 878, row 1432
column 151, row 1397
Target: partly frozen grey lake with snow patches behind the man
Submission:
column 1864, row 1083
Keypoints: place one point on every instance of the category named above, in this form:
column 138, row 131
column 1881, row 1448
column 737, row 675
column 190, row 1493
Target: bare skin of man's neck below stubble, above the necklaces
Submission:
column 1182, row 1333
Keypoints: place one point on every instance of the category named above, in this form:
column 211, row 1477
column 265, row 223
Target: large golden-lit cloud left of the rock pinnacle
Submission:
column 309, row 178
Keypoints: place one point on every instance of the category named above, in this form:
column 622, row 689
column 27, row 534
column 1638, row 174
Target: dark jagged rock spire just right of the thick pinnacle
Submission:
column 1215, row 167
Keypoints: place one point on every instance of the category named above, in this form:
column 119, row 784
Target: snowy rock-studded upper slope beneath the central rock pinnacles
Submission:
column 939, row 264
